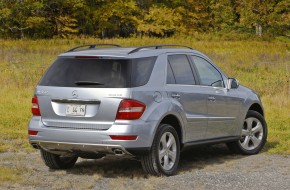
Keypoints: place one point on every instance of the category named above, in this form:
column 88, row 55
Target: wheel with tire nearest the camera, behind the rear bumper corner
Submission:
column 163, row 157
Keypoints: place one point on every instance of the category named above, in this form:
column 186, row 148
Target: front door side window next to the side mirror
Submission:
column 209, row 75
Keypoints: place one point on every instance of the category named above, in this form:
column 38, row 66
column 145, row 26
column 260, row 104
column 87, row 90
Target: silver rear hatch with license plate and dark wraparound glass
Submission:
column 85, row 92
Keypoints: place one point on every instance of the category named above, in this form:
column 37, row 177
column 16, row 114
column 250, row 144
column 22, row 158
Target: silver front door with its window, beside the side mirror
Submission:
column 222, row 104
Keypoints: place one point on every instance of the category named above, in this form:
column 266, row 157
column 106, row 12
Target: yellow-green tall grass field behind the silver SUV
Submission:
column 260, row 65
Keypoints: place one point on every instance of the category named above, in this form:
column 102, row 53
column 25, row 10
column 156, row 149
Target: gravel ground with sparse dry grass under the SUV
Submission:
column 200, row 168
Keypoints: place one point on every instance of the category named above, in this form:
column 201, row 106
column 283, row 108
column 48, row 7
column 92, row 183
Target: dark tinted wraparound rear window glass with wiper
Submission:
column 98, row 73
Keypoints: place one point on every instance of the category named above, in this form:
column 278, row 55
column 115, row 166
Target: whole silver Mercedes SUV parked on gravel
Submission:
column 150, row 102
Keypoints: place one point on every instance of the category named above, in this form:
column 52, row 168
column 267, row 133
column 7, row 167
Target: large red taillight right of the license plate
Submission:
column 130, row 110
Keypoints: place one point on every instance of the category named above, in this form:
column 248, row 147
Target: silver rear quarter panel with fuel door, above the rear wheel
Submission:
column 154, row 95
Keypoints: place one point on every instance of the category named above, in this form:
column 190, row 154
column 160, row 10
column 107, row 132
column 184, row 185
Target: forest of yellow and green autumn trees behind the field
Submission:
column 38, row 19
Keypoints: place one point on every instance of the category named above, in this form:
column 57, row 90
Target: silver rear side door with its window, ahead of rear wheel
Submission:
column 183, row 91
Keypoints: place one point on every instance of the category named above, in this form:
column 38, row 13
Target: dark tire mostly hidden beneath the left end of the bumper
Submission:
column 55, row 161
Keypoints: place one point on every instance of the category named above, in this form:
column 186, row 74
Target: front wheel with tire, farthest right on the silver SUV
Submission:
column 253, row 137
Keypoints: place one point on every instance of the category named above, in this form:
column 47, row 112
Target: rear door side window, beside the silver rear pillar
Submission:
column 181, row 69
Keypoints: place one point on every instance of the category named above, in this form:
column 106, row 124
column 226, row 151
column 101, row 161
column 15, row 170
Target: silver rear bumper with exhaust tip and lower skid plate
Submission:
column 69, row 141
